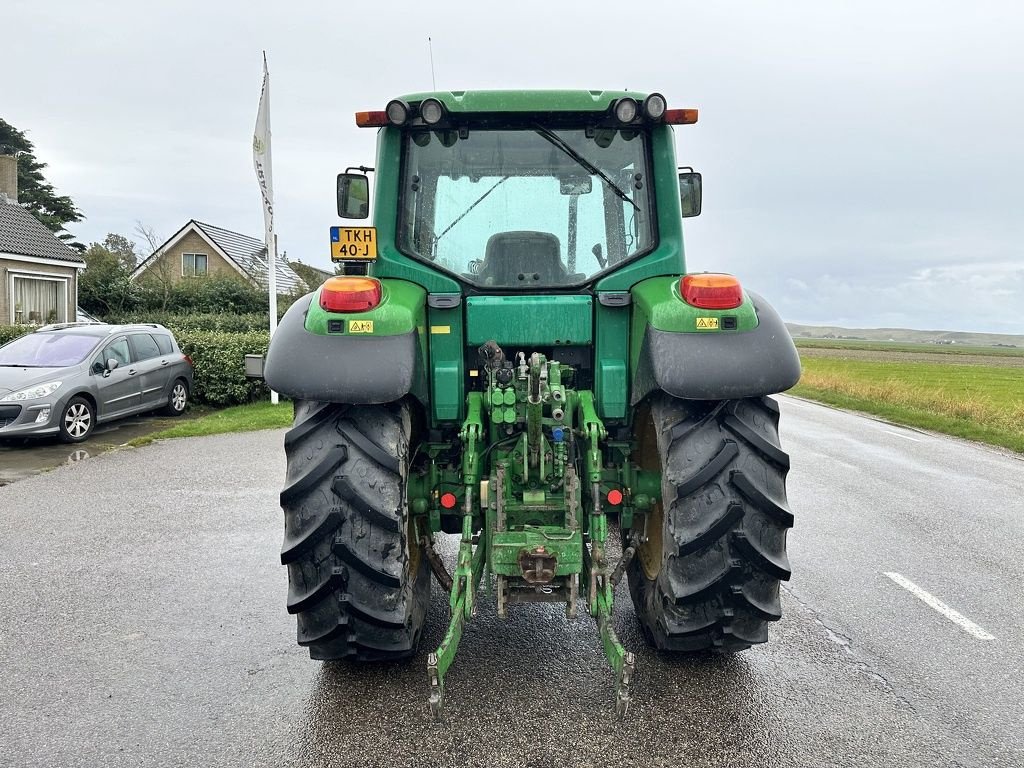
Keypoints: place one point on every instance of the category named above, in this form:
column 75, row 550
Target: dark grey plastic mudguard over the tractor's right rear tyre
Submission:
column 719, row 366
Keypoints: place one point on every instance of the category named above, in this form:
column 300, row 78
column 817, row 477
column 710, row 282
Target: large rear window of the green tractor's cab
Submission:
column 526, row 208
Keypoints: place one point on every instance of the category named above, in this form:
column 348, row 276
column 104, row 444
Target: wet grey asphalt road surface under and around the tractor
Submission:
column 143, row 623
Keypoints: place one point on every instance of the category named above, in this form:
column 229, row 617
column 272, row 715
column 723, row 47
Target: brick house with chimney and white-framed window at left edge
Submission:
column 38, row 272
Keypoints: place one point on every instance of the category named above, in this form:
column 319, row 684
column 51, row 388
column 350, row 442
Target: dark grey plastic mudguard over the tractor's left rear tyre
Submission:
column 366, row 370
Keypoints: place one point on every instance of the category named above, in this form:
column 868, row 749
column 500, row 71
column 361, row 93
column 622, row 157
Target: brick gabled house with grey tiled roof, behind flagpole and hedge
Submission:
column 199, row 250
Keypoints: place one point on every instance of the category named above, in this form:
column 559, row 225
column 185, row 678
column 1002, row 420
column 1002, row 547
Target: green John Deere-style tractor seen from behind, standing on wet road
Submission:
column 515, row 355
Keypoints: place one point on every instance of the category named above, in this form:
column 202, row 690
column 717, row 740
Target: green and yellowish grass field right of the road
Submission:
column 976, row 393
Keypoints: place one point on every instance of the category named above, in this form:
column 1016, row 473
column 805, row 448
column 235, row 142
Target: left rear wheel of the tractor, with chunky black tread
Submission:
column 357, row 581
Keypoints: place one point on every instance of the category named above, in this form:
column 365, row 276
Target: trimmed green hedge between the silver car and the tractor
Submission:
column 220, row 362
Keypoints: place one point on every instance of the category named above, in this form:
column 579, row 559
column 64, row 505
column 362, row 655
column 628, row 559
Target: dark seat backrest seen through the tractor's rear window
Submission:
column 523, row 259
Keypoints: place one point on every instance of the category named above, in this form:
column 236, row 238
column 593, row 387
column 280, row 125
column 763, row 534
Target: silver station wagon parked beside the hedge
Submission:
column 65, row 380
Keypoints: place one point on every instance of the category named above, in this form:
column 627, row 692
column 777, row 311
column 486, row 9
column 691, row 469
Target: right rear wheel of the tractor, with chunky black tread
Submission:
column 711, row 553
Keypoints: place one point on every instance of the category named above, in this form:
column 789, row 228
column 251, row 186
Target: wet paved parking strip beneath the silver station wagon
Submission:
column 24, row 457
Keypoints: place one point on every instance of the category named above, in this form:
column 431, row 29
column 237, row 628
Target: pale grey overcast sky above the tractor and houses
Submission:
column 864, row 162
